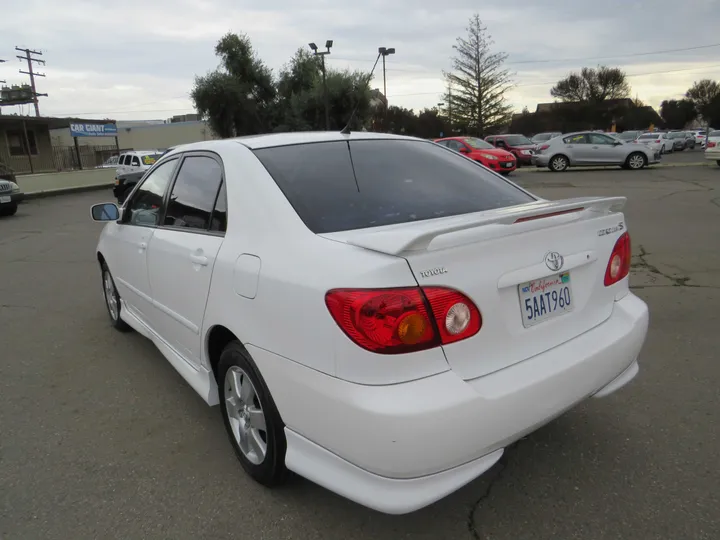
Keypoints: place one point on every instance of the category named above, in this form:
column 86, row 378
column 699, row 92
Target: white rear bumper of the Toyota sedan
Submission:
column 398, row 448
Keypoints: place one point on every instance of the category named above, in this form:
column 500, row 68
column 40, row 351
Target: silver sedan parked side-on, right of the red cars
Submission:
column 591, row 148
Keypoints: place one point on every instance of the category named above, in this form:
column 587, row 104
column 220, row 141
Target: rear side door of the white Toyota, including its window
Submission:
column 183, row 250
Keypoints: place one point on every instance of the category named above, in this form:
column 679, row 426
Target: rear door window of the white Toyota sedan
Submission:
column 193, row 196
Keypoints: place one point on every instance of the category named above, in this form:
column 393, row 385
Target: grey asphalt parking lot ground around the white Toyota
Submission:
column 100, row 438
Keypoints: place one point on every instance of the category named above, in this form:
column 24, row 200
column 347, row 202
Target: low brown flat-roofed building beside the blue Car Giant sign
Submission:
column 26, row 145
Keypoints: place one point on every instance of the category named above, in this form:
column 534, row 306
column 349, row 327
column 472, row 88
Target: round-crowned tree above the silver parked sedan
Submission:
column 592, row 85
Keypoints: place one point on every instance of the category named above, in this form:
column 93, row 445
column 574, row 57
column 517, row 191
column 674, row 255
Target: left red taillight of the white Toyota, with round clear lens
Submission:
column 394, row 321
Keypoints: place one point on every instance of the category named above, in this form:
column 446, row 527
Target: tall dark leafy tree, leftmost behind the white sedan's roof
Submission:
column 238, row 97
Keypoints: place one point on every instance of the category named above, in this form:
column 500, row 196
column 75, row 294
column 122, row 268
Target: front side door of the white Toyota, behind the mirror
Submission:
column 131, row 239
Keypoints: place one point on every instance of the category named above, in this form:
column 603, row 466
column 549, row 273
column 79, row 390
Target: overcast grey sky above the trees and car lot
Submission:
column 137, row 59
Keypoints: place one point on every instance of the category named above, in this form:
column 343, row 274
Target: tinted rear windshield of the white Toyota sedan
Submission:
column 340, row 186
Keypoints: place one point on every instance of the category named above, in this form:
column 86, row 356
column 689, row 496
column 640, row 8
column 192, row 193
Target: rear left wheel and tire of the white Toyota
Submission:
column 246, row 409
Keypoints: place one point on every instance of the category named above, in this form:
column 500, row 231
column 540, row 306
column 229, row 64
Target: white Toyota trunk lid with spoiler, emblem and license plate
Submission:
column 490, row 256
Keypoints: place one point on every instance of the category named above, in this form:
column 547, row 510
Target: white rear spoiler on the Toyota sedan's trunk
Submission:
column 417, row 236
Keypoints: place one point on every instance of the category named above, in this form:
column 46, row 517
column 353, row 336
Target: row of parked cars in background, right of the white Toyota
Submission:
column 558, row 151
